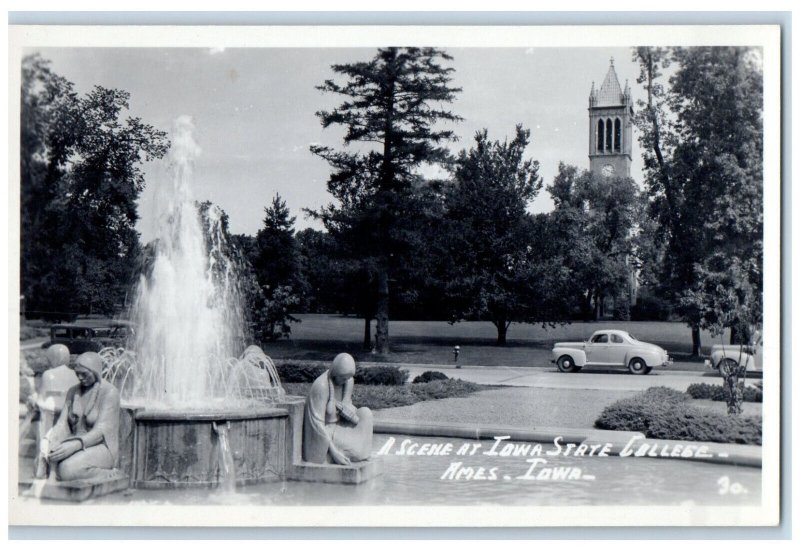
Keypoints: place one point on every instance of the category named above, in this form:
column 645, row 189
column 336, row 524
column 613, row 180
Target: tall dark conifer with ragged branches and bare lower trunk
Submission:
column 393, row 106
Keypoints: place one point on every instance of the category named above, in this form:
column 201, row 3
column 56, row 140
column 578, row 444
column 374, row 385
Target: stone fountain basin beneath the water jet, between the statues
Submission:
column 180, row 448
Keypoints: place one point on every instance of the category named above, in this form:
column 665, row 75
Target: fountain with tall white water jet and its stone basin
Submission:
column 196, row 410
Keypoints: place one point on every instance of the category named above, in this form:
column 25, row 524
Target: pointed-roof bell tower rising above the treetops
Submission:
column 610, row 135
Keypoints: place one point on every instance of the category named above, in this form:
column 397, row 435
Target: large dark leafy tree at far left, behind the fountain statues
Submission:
column 81, row 176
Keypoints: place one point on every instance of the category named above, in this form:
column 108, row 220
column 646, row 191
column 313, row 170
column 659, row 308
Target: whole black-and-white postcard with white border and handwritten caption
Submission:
column 395, row 276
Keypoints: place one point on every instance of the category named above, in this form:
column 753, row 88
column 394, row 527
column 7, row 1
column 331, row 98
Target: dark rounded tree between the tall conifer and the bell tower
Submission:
column 493, row 271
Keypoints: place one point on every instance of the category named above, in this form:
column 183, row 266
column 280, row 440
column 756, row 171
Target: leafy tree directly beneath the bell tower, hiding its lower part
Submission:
column 598, row 218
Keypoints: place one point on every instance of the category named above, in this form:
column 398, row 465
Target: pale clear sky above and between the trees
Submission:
column 254, row 113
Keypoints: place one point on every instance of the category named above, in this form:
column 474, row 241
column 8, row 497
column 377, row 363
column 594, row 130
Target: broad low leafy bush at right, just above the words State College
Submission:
column 660, row 412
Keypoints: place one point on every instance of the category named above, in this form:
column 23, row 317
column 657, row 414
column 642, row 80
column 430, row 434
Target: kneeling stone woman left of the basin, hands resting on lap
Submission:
column 84, row 442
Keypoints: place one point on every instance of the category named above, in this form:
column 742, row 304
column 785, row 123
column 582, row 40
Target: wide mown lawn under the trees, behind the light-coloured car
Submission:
column 320, row 337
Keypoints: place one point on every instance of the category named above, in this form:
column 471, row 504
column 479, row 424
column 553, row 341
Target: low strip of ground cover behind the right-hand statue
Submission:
column 381, row 397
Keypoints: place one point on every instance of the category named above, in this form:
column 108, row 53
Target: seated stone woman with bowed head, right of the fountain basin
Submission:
column 333, row 430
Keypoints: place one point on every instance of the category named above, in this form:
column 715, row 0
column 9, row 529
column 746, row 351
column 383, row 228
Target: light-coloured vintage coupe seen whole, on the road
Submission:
column 609, row 348
